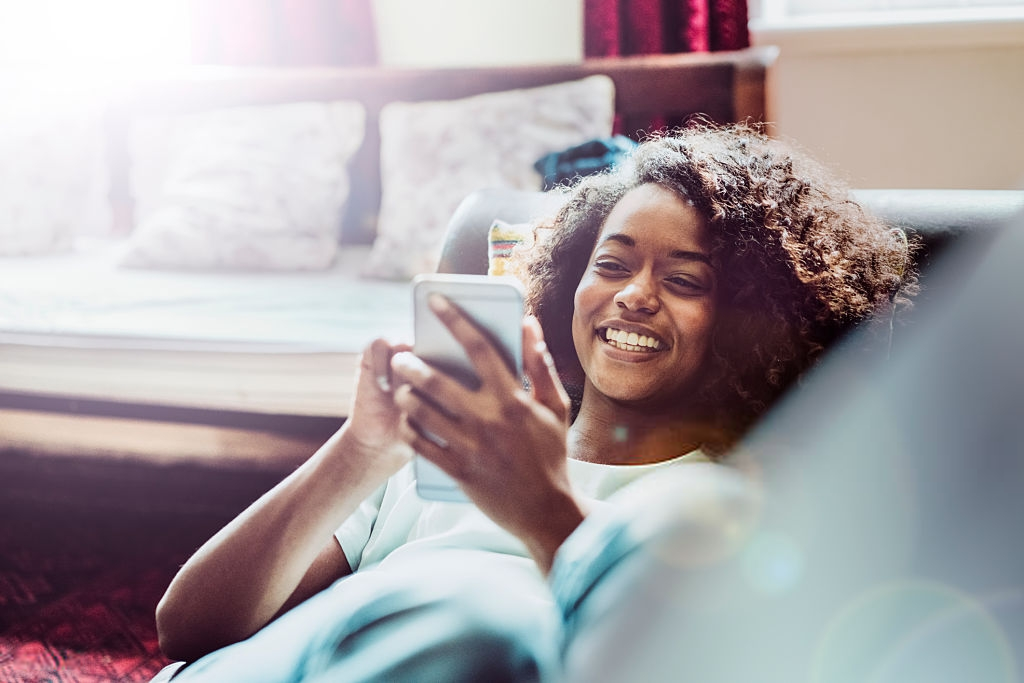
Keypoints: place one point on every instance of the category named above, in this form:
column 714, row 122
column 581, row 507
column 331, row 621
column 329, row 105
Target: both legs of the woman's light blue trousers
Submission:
column 619, row 591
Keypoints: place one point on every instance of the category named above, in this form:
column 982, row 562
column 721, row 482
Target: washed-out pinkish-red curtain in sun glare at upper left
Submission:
column 289, row 33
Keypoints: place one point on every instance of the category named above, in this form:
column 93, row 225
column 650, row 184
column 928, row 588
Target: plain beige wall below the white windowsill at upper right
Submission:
column 926, row 105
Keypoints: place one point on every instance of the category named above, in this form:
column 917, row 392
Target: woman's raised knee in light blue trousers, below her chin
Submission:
column 641, row 581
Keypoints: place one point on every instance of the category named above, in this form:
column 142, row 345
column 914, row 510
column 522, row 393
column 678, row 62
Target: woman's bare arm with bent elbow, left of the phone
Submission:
column 282, row 549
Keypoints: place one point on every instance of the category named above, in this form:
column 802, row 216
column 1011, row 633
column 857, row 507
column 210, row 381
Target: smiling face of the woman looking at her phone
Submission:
column 646, row 307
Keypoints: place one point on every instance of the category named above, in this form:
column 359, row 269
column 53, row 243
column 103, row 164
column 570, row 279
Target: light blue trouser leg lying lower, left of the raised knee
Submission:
column 441, row 622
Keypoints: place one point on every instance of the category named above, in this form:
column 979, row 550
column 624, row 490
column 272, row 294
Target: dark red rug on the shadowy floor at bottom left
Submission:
column 88, row 549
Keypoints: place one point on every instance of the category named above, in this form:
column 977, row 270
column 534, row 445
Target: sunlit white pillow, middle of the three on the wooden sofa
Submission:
column 254, row 188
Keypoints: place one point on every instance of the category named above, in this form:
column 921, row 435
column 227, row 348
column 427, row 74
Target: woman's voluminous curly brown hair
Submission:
column 800, row 263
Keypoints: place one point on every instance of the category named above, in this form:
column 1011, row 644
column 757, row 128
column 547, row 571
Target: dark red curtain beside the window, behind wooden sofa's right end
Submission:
column 614, row 28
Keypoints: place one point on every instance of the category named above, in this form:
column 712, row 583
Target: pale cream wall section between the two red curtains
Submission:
column 463, row 33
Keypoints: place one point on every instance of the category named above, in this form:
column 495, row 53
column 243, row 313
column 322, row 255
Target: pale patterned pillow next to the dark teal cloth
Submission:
column 435, row 154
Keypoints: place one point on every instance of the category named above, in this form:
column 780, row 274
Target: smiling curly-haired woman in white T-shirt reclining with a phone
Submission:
column 679, row 296
